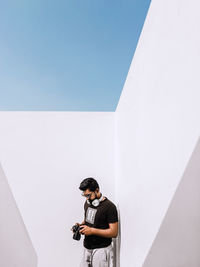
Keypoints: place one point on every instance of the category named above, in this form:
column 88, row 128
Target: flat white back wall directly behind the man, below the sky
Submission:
column 45, row 156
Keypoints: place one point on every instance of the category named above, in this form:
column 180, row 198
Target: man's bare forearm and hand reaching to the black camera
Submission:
column 111, row 232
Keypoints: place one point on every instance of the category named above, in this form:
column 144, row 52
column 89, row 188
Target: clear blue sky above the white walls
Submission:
column 67, row 55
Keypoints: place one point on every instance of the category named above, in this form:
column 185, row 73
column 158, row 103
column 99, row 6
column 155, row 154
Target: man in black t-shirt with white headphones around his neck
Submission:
column 99, row 227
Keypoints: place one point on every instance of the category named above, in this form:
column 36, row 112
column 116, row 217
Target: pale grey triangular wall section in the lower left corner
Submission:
column 16, row 248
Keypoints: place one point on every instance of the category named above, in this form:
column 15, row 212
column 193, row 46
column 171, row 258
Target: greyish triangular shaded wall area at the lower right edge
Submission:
column 178, row 240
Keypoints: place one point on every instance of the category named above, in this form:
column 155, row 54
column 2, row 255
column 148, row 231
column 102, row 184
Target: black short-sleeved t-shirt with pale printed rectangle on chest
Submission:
column 99, row 217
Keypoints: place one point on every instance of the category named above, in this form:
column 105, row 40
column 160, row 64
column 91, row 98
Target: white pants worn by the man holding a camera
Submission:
column 100, row 257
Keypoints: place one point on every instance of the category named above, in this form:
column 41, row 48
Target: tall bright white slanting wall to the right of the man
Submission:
column 157, row 122
